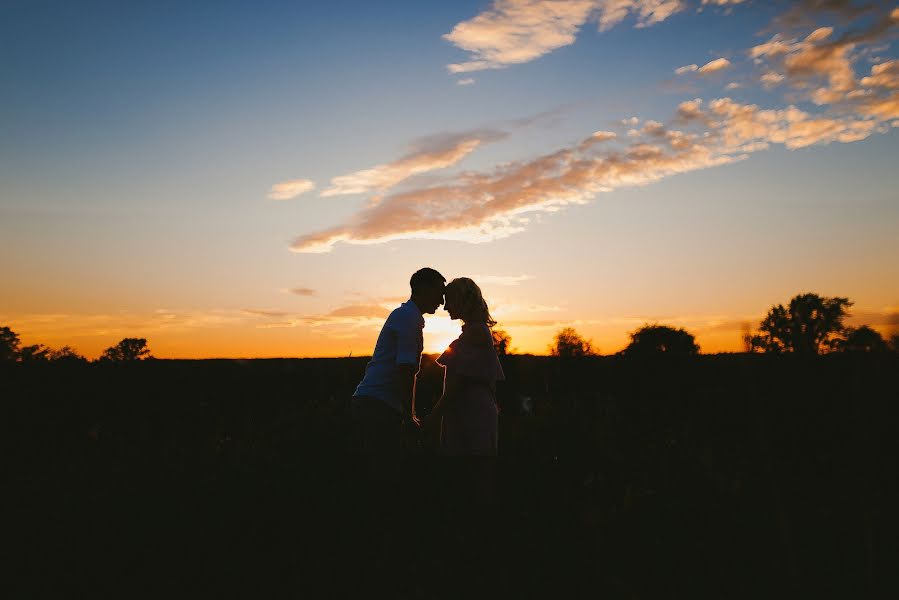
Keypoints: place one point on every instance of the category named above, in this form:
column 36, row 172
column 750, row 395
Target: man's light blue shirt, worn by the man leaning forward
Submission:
column 400, row 343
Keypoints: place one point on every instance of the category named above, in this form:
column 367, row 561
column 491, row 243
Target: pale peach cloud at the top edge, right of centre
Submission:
column 518, row 31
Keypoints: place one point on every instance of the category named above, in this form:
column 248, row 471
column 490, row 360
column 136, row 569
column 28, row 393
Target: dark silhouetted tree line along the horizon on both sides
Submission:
column 809, row 325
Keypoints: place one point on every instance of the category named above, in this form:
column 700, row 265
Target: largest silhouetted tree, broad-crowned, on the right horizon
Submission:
column 809, row 325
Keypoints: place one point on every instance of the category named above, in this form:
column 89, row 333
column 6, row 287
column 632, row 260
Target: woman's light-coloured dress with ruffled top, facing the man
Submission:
column 469, row 426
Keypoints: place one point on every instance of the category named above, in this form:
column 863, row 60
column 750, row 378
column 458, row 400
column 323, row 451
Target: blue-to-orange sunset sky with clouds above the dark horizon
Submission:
column 235, row 179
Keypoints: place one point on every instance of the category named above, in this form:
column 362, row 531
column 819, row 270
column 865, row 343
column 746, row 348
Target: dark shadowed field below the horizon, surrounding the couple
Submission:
column 729, row 476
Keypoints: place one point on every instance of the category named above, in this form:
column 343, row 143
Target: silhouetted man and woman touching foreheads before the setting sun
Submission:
column 384, row 402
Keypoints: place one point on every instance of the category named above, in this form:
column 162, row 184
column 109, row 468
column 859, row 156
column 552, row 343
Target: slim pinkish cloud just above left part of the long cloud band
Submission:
column 428, row 154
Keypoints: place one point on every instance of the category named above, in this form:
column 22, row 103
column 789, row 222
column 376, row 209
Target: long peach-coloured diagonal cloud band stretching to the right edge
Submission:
column 480, row 207
